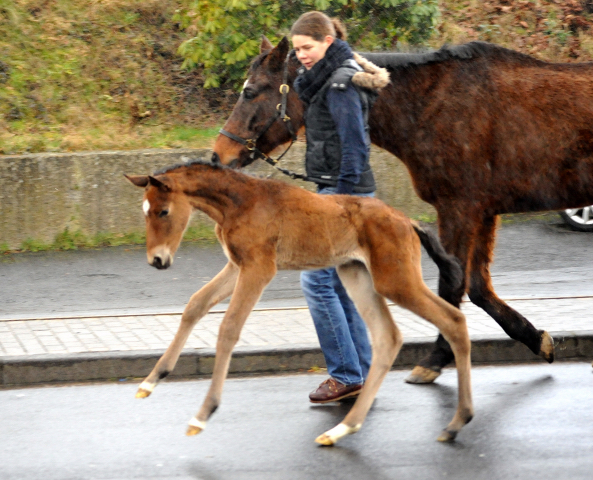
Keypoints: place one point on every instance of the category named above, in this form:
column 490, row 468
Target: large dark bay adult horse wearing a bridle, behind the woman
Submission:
column 482, row 130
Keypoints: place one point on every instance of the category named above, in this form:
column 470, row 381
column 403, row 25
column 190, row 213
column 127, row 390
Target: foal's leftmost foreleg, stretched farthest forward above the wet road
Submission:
column 200, row 303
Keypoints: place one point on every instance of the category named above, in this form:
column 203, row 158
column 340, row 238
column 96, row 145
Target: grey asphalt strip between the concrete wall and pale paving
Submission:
column 531, row 260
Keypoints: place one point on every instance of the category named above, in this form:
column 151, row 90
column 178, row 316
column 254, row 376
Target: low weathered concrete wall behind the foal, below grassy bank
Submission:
column 43, row 194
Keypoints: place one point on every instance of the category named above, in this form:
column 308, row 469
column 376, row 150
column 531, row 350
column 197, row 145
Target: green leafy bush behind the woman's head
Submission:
column 227, row 32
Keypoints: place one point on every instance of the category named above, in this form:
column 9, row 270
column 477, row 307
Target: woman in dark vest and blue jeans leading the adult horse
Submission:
column 337, row 159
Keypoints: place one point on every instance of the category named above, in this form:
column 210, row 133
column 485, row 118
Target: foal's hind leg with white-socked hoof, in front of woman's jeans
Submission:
column 386, row 339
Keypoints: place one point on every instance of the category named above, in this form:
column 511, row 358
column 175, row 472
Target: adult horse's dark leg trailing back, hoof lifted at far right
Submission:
column 482, row 294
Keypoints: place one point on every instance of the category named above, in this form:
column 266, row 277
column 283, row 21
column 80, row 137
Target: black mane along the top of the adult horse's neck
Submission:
column 446, row 53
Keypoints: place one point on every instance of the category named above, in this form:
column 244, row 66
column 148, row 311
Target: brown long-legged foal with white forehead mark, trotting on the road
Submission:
column 265, row 226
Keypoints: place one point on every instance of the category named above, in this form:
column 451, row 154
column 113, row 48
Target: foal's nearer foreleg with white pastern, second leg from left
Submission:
column 250, row 285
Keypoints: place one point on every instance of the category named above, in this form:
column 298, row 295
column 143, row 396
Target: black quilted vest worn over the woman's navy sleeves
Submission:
column 324, row 148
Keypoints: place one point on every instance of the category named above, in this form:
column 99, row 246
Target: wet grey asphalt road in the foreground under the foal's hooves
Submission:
column 532, row 422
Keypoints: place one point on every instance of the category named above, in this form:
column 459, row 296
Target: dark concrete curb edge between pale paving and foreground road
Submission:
column 44, row 369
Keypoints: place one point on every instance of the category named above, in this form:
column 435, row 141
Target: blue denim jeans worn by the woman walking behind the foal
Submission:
column 341, row 331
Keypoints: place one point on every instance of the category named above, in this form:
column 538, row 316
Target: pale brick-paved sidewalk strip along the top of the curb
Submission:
column 266, row 329
